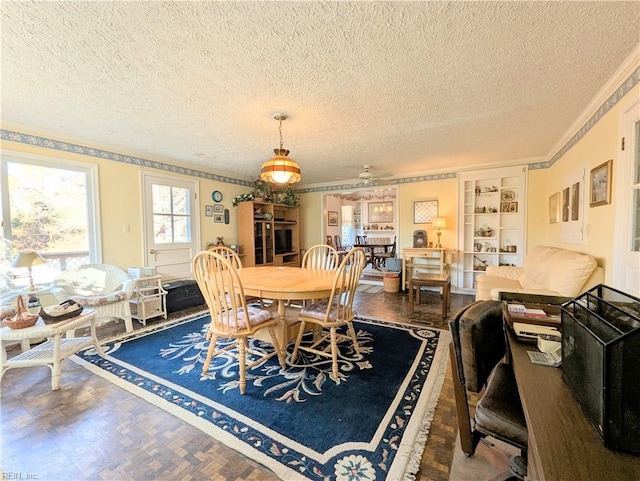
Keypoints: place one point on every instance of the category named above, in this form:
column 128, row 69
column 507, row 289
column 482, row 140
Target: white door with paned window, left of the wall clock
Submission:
column 170, row 225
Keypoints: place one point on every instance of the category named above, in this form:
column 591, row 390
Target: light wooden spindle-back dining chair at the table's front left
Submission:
column 231, row 318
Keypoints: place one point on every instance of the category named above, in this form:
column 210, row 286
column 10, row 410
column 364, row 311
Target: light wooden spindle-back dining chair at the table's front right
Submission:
column 334, row 312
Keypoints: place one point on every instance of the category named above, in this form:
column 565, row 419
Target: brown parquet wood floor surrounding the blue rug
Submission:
column 93, row 430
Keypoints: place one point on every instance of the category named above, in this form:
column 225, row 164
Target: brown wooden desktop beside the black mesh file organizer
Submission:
column 563, row 445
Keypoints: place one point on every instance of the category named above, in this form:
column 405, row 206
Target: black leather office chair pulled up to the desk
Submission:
column 477, row 354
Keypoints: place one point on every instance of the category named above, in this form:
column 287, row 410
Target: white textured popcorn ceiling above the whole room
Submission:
column 408, row 87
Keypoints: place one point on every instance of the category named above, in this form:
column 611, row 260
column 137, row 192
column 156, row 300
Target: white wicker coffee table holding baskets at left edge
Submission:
column 53, row 351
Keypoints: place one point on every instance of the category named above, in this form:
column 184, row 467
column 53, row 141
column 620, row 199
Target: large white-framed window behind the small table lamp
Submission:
column 48, row 206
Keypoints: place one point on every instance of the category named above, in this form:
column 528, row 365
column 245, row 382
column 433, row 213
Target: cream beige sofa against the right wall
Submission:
column 546, row 271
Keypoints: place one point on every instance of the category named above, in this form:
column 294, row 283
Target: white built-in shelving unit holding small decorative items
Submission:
column 492, row 221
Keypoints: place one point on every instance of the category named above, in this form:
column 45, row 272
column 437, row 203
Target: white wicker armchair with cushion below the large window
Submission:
column 102, row 287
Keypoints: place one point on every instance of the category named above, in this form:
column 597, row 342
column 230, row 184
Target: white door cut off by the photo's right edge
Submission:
column 627, row 264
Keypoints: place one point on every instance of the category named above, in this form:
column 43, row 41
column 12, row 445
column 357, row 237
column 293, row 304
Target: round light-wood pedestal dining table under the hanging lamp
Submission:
column 284, row 284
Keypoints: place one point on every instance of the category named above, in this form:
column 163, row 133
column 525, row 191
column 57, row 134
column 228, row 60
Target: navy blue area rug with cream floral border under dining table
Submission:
column 370, row 425
